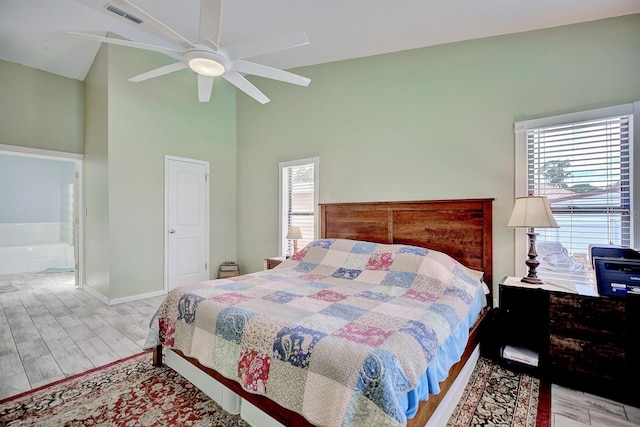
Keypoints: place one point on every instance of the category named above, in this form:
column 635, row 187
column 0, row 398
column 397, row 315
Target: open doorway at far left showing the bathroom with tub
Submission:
column 40, row 225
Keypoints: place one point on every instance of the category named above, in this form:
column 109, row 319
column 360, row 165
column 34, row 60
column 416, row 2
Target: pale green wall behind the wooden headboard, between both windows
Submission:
column 431, row 123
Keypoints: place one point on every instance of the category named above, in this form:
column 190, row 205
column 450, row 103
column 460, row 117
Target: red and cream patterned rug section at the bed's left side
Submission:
column 131, row 392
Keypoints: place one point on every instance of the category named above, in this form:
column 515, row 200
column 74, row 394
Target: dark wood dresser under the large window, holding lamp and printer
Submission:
column 587, row 343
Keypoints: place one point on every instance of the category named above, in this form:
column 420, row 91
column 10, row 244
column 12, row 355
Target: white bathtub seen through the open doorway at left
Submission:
column 31, row 248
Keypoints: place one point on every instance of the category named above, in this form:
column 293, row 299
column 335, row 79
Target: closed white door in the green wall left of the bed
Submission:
column 187, row 221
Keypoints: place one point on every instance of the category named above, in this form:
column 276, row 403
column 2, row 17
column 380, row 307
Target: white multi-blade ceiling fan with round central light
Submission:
column 205, row 57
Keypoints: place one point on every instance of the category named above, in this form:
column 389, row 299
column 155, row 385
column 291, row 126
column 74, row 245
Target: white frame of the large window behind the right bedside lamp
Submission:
column 521, row 170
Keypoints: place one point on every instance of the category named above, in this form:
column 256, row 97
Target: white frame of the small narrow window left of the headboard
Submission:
column 283, row 214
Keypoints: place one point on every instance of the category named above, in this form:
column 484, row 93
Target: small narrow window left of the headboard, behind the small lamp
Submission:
column 298, row 201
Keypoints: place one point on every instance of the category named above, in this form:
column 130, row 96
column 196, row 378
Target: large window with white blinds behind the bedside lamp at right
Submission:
column 583, row 164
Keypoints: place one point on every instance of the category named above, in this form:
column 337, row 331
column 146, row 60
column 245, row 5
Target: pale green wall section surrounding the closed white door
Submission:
column 134, row 126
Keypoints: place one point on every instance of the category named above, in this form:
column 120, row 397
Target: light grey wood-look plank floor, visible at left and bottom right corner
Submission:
column 50, row 330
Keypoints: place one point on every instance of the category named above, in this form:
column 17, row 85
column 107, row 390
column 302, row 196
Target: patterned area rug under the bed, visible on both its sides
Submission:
column 132, row 392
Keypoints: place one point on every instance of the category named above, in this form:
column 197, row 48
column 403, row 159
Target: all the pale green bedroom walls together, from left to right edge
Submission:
column 422, row 124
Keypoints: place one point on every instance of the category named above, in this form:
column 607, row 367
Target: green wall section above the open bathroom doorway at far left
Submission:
column 40, row 110
